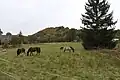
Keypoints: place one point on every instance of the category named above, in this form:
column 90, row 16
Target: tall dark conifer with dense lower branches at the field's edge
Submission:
column 99, row 25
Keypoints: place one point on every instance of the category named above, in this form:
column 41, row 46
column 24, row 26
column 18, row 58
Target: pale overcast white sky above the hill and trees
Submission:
column 31, row 16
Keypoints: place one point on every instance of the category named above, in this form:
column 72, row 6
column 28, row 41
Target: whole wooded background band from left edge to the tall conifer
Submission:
column 51, row 34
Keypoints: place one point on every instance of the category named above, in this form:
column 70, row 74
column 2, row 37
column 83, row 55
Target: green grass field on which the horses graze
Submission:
column 52, row 64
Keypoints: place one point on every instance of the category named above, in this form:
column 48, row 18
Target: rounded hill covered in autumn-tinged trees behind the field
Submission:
column 57, row 34
